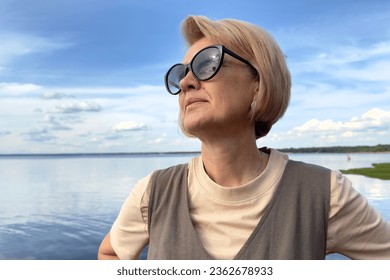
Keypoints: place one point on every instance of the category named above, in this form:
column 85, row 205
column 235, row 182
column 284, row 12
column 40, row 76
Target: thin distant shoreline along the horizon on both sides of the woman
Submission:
column 311, row 150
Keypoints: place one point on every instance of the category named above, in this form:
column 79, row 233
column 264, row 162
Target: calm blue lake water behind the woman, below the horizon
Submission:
column 61, row 207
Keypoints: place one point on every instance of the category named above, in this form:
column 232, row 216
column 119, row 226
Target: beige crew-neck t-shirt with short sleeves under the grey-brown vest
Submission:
column 224, row 218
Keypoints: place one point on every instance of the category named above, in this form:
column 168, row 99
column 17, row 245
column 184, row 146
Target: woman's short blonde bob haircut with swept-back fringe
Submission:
column 257, row 46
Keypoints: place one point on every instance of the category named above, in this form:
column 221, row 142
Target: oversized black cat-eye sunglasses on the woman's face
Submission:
column 204, row 65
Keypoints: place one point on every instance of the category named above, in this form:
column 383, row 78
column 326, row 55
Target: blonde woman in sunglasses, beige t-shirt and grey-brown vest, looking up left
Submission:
column 236, row 201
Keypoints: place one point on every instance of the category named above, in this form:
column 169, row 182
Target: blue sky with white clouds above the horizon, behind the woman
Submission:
column 87, row 75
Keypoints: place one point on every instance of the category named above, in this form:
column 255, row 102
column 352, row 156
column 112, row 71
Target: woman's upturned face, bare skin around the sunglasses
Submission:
column 219, row 106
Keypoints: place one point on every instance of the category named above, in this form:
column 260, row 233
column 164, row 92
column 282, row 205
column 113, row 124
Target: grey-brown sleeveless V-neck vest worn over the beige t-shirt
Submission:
column 294, row 225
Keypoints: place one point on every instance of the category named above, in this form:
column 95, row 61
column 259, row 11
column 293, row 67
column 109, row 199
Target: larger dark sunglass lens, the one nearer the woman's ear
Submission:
column 206, row 63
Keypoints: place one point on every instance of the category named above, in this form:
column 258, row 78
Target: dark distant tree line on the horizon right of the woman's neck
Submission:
column 339, row 149
